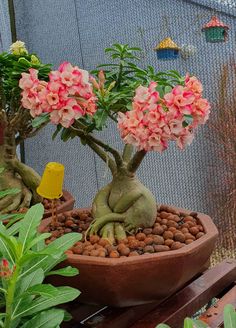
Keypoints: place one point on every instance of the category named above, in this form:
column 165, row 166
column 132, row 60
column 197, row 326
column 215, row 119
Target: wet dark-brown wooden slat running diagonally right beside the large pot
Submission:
column 190, row 299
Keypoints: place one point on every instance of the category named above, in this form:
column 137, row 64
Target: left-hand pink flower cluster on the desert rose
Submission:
column 67, row 96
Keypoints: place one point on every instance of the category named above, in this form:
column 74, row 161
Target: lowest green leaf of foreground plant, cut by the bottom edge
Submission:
column 46, row 319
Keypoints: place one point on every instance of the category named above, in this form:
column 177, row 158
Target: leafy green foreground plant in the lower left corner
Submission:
column 25, row 301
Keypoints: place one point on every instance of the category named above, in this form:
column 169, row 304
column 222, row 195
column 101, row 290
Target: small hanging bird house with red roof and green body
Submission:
column 215, row 30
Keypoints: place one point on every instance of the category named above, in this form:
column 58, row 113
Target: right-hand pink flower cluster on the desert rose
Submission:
column 154, row 121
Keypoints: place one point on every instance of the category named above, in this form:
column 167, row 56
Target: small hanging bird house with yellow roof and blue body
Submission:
column 167, row 49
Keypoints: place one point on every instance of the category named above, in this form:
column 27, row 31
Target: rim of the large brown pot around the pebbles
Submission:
column 211, row 232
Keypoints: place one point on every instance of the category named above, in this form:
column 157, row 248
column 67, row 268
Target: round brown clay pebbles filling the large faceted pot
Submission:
column 171, row 231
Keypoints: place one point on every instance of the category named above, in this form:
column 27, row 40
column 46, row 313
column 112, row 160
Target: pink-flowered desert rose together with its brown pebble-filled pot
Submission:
column 150, row 109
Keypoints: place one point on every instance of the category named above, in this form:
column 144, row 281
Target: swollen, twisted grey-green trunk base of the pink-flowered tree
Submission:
column 121, row 207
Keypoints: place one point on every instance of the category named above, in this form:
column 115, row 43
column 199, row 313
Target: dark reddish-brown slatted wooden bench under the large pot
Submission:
column 219, row 282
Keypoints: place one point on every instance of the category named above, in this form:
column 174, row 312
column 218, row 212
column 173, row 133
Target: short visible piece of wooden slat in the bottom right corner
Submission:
column 214, row 315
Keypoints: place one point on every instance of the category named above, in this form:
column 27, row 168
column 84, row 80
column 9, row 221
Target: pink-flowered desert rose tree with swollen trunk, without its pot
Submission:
column 150, row 109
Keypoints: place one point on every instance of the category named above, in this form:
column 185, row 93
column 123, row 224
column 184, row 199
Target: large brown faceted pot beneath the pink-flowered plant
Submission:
column 140, row 279
